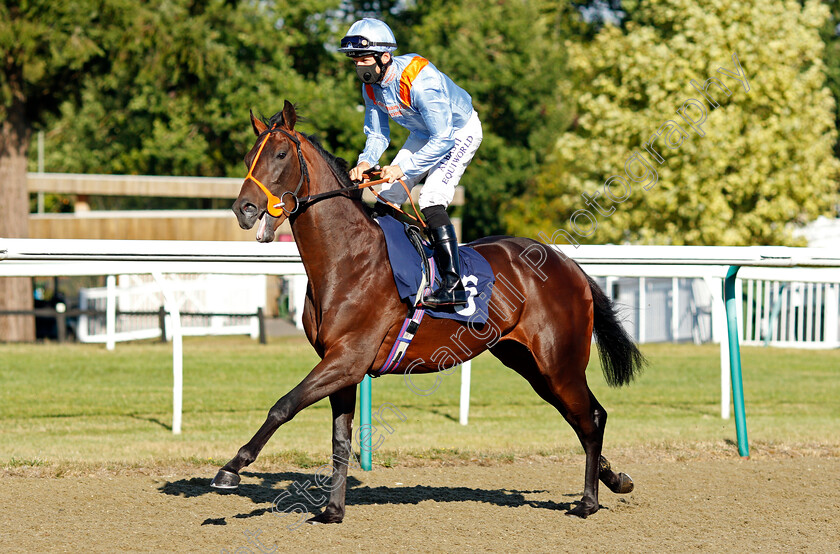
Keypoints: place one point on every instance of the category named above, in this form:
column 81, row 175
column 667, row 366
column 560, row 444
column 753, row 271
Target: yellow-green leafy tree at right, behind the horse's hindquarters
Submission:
column 759, row 163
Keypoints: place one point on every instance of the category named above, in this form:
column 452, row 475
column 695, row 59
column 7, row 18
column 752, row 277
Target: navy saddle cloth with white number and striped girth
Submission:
column 410, row 277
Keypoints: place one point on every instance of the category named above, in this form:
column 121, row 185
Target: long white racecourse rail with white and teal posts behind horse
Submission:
column 56, row 257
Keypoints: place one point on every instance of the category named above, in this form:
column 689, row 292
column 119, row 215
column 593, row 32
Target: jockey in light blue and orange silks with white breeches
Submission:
column 444, row 134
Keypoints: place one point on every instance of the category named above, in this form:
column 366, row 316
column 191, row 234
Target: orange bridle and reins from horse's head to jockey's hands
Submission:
column 276, row 207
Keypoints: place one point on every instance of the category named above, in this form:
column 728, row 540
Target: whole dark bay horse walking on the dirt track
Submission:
column 353, row 314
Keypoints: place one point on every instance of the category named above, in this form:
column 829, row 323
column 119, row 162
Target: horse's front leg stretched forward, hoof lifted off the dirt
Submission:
column 327, row 378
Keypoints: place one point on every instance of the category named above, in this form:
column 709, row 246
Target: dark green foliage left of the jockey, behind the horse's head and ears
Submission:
column 172, row 98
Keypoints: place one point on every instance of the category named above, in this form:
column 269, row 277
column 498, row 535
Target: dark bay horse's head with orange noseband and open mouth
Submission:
column 276, row 173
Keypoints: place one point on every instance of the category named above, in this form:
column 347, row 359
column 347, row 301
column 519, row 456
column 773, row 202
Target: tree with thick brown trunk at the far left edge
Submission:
column 45, row 47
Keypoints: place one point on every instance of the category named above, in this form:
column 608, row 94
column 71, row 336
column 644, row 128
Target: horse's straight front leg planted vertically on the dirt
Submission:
column 343, row 405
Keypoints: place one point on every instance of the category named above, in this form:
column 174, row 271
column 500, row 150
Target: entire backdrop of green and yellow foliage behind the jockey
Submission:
column 164, row 87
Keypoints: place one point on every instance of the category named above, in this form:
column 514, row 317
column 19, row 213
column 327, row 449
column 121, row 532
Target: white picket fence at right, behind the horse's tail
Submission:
column 793, row 308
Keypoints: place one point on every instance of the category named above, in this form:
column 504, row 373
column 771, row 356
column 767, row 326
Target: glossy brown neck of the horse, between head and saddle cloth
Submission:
column 334, row 236
